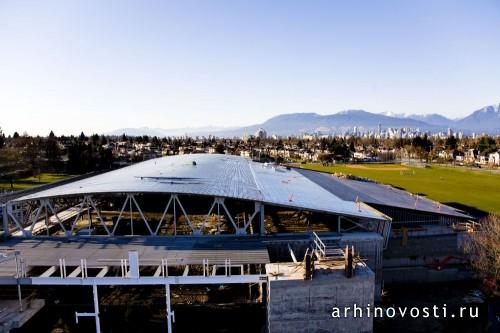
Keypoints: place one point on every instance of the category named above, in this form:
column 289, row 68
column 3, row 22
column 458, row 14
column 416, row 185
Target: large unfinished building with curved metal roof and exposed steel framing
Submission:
column 288, row 243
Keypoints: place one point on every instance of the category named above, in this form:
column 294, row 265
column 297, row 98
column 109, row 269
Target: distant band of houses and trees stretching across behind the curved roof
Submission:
column 25, row 155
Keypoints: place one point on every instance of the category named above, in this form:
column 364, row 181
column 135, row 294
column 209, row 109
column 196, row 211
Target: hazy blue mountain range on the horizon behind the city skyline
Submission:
column 484, row 120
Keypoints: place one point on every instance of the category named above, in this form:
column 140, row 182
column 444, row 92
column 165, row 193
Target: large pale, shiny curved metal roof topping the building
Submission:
column 214, row 175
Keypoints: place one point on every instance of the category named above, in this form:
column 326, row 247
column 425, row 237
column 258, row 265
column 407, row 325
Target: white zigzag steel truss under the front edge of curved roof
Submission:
column 44, row 216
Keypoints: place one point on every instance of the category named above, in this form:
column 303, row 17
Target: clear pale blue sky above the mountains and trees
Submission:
column 101, row 65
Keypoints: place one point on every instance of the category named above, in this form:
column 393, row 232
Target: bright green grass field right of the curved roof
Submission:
column 453, row 185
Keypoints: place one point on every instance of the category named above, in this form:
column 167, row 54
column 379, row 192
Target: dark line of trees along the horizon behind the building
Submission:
column 25, row 155
